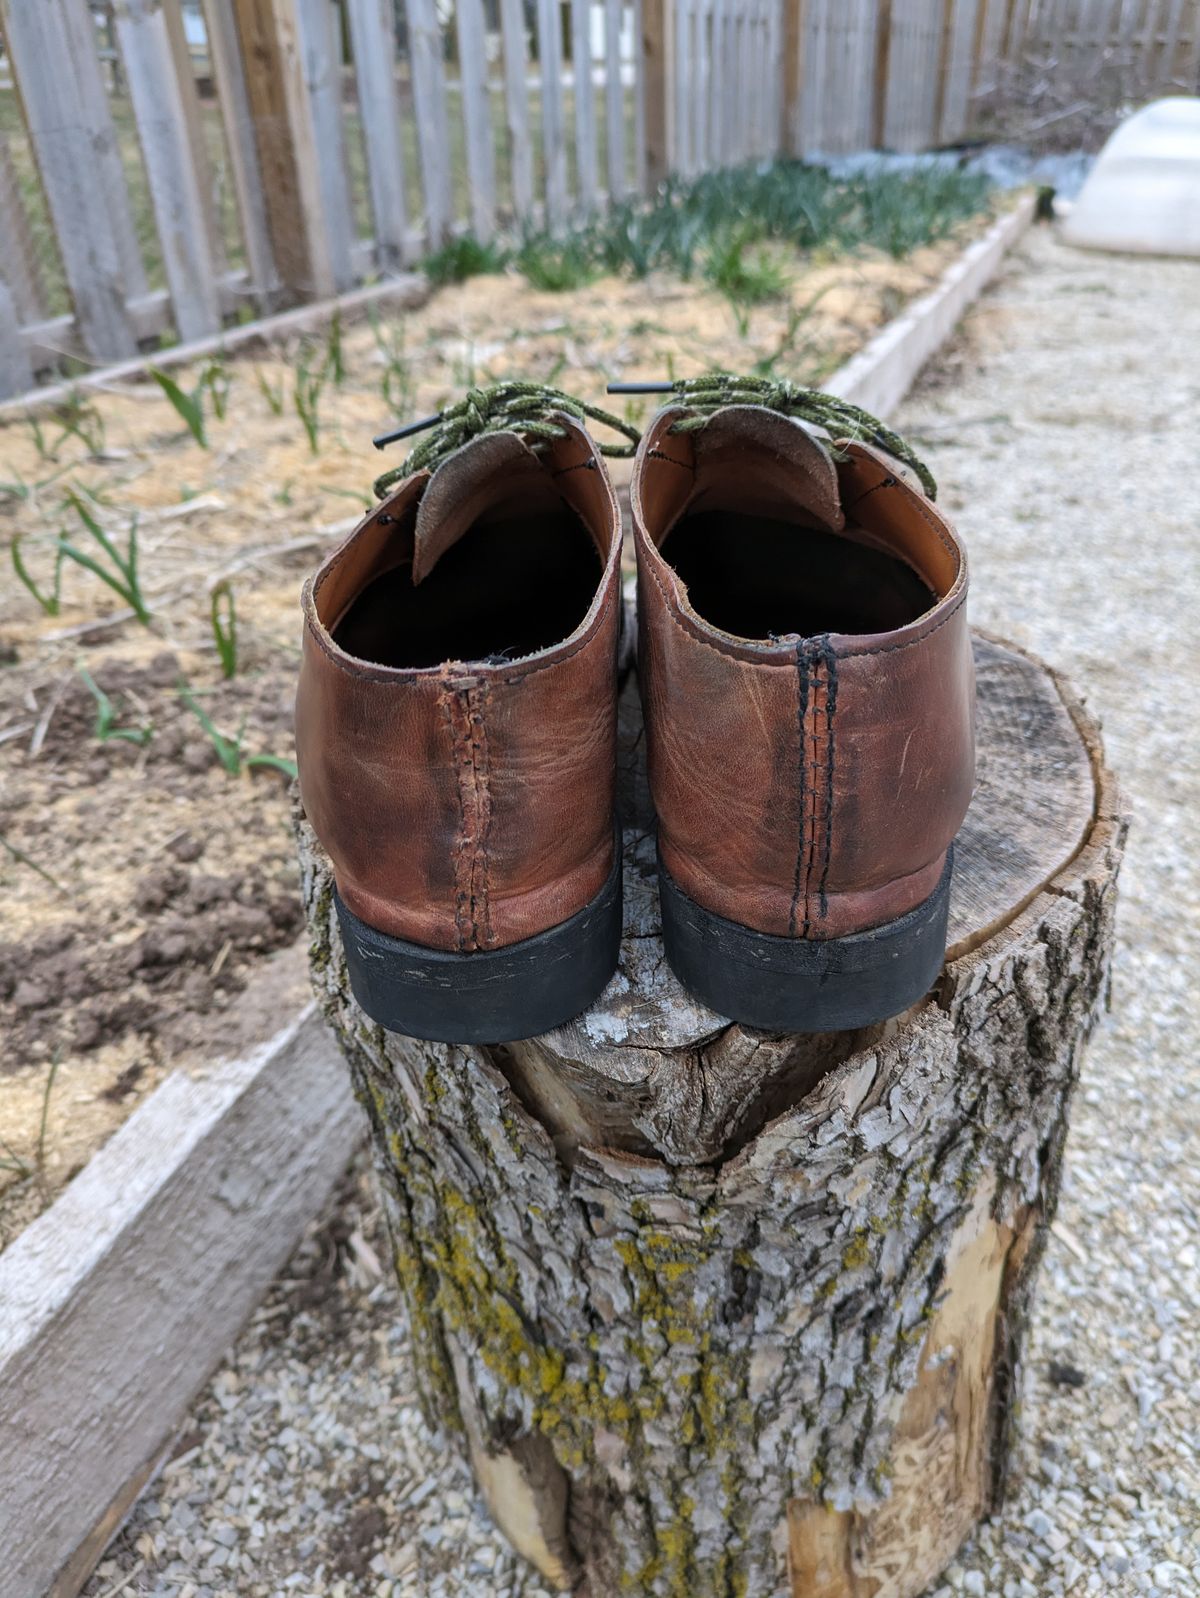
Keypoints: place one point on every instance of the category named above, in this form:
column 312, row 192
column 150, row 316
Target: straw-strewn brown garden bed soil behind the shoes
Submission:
column 141, row 883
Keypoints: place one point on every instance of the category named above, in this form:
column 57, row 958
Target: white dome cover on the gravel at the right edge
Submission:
column 1143, row 194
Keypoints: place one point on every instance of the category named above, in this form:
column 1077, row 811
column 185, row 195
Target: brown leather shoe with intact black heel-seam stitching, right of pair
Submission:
column 809, row 699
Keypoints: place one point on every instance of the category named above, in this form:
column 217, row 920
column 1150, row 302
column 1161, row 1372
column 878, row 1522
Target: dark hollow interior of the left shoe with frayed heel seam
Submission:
column 506, row 590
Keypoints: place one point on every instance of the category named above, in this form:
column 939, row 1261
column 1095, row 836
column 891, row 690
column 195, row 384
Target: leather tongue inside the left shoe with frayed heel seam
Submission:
column 493, row 475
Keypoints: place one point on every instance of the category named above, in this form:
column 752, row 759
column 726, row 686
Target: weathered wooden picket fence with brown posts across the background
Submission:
column 173, row 167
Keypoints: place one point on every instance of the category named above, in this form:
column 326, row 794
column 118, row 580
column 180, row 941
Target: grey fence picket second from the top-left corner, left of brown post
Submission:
column 170, row 169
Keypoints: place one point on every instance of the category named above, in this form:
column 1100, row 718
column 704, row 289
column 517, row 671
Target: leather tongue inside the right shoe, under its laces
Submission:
column 779, row 463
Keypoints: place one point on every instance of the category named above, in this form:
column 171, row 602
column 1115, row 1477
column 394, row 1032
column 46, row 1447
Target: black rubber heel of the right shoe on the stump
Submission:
column 801, row 985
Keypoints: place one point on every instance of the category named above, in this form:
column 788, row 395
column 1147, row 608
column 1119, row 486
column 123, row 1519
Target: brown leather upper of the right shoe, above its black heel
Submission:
column 806, row 785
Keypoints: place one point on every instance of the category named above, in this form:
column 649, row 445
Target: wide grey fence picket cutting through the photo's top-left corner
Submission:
column 66, row 156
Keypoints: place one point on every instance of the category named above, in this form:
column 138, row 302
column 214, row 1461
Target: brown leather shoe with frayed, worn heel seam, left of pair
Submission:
column 456, row 728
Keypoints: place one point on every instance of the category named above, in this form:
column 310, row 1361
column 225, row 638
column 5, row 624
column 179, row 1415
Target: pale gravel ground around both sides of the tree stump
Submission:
column 1063, row 427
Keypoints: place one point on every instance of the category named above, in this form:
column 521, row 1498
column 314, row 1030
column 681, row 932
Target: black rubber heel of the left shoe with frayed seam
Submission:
column 491, row 996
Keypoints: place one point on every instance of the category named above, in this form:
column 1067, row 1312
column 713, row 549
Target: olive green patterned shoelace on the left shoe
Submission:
column 503, row 408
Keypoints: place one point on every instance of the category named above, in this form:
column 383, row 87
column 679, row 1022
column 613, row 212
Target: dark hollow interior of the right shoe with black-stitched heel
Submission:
column 763, row 578
